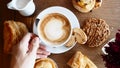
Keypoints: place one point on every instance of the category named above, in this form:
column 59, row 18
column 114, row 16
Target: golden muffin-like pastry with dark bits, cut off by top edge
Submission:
column 85, row 6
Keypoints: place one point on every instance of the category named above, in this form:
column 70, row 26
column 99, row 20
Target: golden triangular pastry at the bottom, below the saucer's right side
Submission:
column 80, row 61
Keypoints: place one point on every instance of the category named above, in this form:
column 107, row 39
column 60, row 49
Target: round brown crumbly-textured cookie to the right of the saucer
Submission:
column 97, row 31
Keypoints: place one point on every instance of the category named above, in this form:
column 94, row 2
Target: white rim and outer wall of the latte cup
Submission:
column 53, row 45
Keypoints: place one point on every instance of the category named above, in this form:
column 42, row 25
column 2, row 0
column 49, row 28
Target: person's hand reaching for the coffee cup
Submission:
column 27, row 51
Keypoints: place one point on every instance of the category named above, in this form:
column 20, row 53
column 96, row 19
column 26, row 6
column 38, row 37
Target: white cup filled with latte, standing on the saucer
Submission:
column 54, row 30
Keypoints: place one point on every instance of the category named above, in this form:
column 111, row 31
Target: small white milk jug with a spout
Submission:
column 25, row 7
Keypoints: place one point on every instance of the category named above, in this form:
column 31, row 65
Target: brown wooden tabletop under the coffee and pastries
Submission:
column 110, row 12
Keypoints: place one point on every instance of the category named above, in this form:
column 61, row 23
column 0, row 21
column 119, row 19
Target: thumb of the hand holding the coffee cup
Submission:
column 35, row 45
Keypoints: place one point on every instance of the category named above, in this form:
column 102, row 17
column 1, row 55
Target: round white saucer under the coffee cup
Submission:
column 70, row 16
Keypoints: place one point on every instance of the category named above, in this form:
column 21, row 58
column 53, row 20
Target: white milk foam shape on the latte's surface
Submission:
column 54, row 29
